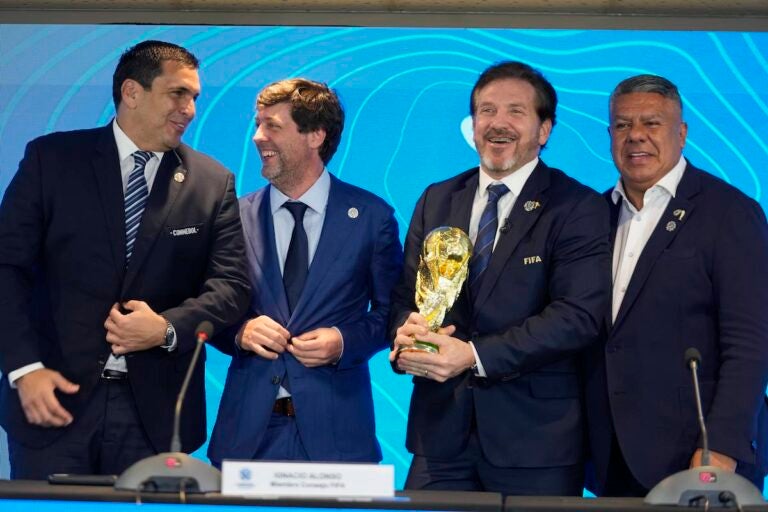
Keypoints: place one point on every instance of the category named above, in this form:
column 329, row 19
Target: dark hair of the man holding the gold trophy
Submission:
column 546, row 97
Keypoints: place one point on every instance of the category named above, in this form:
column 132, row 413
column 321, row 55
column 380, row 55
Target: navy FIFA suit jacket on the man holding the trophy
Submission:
column 531, row 318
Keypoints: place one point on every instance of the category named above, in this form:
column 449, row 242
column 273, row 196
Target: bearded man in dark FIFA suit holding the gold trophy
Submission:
column 499, row 407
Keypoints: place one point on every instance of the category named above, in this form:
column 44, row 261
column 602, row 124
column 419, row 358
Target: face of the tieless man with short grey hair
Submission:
column 647, row 139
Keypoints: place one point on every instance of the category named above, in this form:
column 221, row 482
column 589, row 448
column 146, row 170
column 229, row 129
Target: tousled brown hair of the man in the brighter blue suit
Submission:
column 314, row 106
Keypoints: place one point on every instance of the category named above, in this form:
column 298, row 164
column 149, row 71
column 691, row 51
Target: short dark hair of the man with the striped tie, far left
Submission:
column 144, row 63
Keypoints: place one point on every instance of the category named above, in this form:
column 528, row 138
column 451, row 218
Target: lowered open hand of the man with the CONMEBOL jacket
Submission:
column 36, row 392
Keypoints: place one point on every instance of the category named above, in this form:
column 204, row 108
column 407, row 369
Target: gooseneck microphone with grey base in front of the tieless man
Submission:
column 707, row 486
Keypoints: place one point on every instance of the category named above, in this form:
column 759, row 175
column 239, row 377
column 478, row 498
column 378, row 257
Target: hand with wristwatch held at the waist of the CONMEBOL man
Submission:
column 140, row 329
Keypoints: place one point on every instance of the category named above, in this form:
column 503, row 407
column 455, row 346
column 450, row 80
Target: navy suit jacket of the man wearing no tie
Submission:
column 701, row 281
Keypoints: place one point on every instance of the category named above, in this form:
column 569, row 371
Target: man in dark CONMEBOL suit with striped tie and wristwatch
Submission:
column 115, row 243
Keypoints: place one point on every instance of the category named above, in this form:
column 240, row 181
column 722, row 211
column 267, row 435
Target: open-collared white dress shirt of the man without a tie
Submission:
column 636, row 226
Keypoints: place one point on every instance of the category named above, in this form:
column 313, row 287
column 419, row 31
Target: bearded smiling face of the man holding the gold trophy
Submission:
column 507, row 130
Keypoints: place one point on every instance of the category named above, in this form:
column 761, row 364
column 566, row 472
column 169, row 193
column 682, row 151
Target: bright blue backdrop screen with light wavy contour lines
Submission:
column 406, row 94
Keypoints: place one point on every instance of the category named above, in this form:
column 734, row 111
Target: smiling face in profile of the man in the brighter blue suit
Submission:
column 289, row 158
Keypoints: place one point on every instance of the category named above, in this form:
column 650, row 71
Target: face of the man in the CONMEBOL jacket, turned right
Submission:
column 156, row 118
